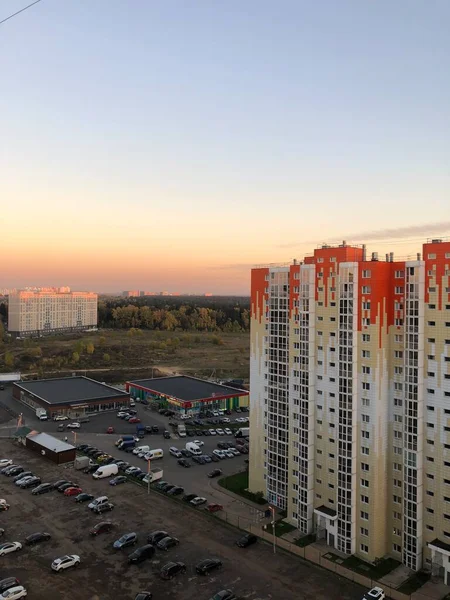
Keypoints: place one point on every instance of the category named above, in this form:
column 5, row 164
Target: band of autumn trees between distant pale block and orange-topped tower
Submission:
column 175, row 315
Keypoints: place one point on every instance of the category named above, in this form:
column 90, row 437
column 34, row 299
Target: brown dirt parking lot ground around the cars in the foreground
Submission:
column 105, row 575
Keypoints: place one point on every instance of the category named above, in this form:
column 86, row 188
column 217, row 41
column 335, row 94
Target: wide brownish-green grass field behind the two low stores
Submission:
column 117, row 355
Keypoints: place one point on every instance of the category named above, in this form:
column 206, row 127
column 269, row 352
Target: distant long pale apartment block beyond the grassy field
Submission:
column 43, row 312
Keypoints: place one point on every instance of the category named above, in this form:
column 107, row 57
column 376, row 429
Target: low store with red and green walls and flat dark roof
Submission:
column 188, row 395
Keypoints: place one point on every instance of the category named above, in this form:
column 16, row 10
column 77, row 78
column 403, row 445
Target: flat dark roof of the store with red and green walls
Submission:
column 188, row 389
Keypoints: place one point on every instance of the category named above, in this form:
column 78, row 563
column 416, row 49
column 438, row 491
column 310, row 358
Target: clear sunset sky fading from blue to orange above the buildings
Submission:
column 172, row 145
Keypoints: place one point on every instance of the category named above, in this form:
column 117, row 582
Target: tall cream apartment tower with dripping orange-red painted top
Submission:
column 350, row 400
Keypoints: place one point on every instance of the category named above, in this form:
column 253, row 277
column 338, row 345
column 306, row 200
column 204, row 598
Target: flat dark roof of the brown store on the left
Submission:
column 69, row 390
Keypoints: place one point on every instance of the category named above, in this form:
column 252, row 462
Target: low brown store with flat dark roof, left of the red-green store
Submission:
column 70, row 396
